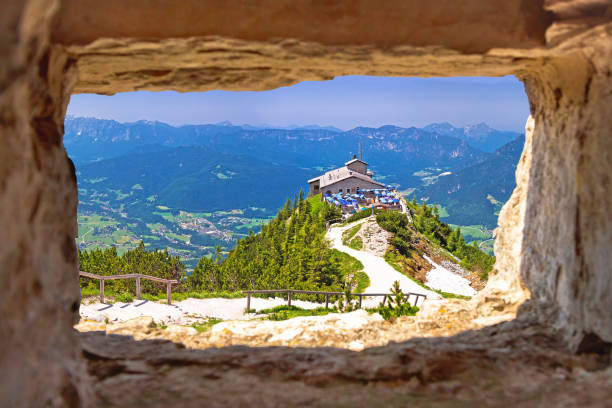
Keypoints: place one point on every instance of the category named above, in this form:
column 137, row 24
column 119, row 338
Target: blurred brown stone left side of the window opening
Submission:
column 39, row 353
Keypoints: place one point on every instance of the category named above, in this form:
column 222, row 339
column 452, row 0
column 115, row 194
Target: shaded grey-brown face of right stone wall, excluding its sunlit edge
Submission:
column 567, row 238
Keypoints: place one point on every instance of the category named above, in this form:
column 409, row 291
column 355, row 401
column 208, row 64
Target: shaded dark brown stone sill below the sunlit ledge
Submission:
column 510, row 364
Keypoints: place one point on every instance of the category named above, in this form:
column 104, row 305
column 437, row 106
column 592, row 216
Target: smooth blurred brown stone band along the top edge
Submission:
column 469, row 26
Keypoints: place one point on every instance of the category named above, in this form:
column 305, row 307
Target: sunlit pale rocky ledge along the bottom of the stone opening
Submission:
column 354, row 331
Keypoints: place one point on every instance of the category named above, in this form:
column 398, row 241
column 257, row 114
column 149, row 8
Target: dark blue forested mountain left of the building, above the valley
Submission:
column 197, row 179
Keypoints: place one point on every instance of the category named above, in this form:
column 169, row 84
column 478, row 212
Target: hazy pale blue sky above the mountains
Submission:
column 344, row 102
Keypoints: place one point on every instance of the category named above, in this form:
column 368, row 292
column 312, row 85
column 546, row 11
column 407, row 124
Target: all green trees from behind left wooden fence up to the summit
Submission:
column 289, row 252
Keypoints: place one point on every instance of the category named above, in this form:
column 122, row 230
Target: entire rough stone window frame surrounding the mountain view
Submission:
column 554, row 237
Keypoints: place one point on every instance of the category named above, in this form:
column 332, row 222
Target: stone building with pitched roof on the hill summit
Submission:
column 346, row 180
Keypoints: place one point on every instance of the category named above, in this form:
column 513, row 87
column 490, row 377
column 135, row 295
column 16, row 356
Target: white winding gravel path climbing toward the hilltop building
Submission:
column 381, row 274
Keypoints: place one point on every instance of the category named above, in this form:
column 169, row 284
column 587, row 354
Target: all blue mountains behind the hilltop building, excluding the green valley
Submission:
column 222, row 166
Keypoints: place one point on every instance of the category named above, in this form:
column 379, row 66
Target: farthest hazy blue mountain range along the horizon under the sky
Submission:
column 392, row 151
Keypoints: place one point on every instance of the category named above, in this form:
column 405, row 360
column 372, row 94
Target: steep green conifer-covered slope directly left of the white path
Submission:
column 289, row 252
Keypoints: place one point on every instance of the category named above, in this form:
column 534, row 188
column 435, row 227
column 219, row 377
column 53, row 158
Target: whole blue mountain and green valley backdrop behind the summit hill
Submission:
column 191, row 188
